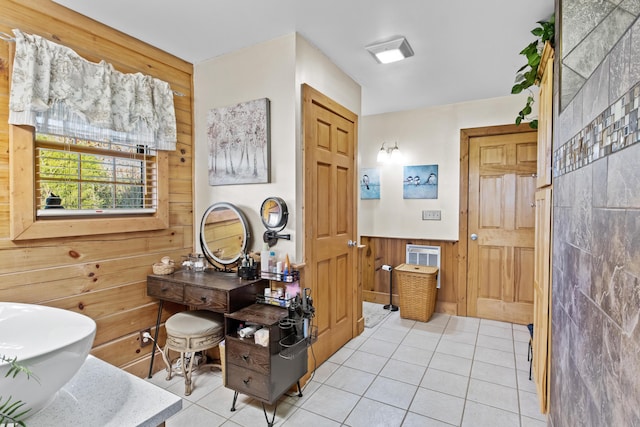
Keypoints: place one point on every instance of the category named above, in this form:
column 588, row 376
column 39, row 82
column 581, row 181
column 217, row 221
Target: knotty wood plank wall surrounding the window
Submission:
column 103, row 277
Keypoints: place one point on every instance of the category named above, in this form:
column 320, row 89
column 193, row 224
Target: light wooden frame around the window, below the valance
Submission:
column 25, row 225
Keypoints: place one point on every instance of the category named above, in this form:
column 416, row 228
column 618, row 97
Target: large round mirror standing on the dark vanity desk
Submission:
column 224, row 233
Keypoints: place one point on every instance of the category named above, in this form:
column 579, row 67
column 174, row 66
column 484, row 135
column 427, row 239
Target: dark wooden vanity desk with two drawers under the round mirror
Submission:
column 206, row 290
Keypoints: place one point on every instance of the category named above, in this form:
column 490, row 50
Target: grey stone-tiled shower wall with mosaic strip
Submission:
column 595, row 360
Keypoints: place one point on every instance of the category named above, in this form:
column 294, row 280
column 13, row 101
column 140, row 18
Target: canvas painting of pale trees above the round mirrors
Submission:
column 239, row 143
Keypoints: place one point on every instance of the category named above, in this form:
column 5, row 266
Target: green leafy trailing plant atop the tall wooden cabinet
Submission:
column 525, row 78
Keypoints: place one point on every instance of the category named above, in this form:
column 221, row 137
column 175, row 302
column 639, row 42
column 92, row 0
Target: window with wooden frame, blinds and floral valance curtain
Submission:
column 91, row 147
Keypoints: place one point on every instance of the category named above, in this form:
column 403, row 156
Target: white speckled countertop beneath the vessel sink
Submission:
column 101, row 395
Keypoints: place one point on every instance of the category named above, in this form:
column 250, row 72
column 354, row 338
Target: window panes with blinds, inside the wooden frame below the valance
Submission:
column 77, row 176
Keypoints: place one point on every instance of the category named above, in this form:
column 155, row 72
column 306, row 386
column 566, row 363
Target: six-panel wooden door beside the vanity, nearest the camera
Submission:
column 330, row 218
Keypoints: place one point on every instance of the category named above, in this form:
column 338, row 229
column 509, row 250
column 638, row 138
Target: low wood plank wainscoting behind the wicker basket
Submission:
column 392, row 251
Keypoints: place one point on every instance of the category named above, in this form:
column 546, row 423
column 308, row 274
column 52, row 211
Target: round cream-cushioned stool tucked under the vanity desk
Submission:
column 190, row 332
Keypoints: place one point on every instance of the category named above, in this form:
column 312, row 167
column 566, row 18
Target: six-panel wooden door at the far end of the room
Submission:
column 501, row 223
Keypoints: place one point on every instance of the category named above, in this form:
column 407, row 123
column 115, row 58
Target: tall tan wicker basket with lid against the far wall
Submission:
column 417, row 289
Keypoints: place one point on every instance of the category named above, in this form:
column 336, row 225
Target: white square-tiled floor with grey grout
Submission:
column 450, row 371
